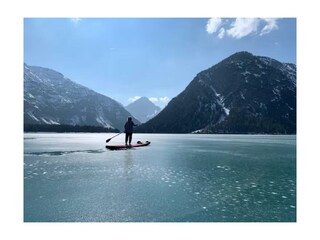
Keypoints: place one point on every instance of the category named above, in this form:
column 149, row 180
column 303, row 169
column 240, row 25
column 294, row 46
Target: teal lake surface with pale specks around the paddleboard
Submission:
column 178, row 178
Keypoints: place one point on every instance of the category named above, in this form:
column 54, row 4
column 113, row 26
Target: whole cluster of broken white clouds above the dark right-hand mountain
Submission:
column 241, row 27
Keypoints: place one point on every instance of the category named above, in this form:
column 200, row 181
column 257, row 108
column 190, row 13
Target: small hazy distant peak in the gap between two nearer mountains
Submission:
column 143, row 109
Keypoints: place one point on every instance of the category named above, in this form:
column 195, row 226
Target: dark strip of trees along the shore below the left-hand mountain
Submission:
column 66, row 128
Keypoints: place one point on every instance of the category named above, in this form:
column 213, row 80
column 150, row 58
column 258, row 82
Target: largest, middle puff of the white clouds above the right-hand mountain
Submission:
column 242, row 27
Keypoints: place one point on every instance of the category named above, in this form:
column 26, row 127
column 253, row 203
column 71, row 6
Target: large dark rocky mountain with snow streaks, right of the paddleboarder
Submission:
column 241, row 94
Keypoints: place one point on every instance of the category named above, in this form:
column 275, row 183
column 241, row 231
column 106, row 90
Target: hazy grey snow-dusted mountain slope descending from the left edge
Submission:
column 51, row 98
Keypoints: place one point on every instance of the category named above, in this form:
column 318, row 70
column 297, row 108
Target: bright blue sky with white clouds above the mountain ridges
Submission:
column 125, row 58
